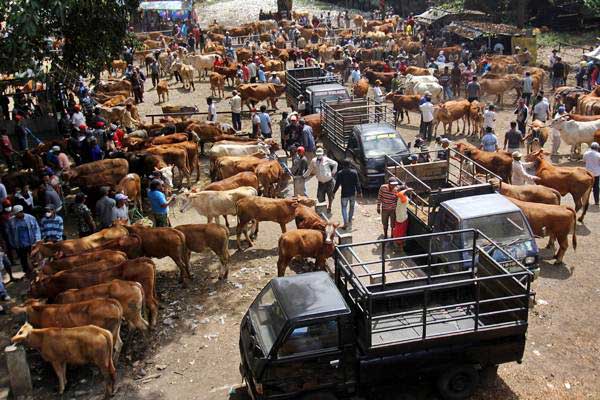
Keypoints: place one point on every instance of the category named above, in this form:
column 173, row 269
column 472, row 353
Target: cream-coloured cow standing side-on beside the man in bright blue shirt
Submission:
column 213, row 204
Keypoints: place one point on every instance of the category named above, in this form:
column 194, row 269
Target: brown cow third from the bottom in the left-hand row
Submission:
column 129, row 294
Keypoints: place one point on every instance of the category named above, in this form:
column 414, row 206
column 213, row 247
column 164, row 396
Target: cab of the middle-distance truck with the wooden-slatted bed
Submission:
column 368, row 146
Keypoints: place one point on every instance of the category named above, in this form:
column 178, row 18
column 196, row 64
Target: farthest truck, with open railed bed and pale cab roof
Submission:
column 316, row 85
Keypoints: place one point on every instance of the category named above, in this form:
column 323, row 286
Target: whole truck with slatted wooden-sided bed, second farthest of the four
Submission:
column 363, row 131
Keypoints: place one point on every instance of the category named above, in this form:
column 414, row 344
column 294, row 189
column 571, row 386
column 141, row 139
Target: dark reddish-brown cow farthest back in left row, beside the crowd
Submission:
column 98, row 173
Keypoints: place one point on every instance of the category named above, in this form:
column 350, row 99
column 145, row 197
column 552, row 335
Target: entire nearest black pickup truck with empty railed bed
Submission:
column 383, row 323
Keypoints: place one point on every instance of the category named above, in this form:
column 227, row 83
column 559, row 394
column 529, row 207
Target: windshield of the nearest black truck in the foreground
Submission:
column 267, row 318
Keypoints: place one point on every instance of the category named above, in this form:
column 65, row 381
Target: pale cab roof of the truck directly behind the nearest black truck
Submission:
column 480, row 206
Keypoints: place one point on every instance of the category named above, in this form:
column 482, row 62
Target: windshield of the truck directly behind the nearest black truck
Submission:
column 503, row 228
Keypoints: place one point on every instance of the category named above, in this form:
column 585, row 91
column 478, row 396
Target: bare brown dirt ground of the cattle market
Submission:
column 193, row 352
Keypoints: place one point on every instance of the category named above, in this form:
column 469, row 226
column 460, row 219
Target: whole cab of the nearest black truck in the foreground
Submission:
column 291, row 335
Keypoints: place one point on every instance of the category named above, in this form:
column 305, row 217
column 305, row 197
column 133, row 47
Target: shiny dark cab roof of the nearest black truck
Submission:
column 309, row 295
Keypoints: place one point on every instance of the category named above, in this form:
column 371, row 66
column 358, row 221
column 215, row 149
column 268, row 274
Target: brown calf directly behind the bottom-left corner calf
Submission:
column 104, row 313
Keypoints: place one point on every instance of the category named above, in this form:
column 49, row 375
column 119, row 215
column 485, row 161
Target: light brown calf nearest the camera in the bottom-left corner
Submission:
column 82, row 345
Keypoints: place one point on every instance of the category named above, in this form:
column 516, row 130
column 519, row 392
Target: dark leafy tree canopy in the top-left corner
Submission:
column 93, row 31
